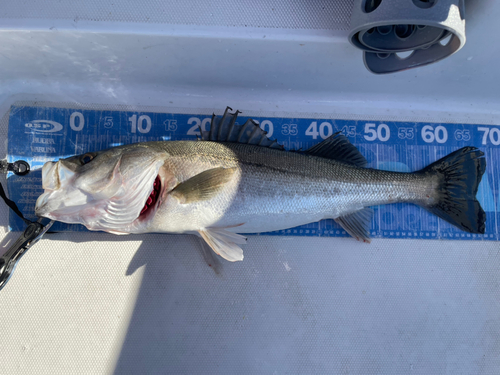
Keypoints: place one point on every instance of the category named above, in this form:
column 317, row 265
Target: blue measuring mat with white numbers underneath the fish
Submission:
column 40, row 134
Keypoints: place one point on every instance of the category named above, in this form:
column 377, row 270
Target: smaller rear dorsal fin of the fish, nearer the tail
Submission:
column 338, row 147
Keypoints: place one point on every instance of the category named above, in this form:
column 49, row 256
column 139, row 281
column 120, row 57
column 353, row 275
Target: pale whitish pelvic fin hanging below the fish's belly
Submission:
column 224, row 243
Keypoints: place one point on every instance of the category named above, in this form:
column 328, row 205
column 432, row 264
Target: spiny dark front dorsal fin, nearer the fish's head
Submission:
column 225, row 129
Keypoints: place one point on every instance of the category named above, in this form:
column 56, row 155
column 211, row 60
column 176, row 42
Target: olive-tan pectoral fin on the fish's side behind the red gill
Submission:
column 203, row 186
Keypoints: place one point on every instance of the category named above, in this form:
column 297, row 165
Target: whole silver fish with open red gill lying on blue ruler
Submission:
column 235, row 180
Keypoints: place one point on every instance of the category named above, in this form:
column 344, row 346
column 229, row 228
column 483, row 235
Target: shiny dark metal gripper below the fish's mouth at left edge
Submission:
column 31, row 235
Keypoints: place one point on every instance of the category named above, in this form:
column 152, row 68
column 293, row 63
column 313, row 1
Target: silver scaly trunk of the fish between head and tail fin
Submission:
column 273, row 190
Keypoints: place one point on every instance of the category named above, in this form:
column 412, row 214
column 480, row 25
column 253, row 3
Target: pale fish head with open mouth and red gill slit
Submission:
column 116, row 190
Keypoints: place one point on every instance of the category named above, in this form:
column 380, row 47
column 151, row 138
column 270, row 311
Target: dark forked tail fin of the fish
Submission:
column 460, row 174
